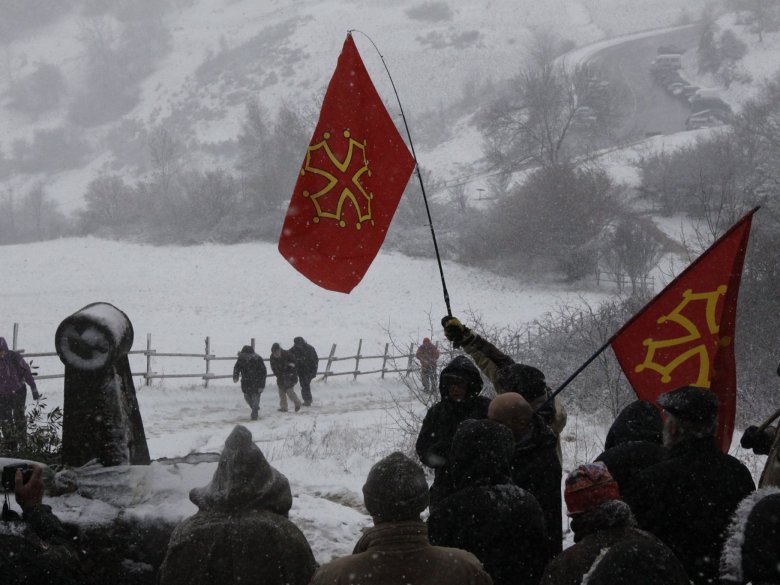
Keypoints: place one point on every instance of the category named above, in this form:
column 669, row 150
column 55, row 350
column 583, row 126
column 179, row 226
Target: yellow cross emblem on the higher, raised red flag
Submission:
column 352, row 191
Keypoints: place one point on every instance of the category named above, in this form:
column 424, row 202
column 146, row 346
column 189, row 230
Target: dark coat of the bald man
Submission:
column 536, row 469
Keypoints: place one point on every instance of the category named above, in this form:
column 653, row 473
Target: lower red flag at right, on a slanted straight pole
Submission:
column 685, row 335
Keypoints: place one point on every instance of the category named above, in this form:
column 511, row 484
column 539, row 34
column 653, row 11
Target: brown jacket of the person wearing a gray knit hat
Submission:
column 396, row 553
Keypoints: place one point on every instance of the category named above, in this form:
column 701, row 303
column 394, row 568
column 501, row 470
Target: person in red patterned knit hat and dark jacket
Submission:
column 600, row 522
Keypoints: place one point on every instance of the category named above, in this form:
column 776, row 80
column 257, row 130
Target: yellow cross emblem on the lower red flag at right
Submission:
column 693, row 334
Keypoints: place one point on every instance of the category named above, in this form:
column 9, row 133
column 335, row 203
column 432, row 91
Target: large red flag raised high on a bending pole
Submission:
column 350, row 183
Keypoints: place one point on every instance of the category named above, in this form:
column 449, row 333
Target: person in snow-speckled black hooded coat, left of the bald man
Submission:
column 487, row 514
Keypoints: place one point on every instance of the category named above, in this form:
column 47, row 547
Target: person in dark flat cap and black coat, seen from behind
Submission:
column 687, row 499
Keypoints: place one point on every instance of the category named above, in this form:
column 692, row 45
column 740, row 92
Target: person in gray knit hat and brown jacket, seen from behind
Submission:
column 396, row 549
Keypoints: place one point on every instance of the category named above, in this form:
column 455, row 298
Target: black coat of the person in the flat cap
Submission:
column 687, row 501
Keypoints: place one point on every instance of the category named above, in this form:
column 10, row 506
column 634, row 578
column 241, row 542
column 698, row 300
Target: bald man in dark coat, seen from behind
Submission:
column 535, row 465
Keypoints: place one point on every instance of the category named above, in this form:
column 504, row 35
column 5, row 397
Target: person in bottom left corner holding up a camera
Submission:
column 36, row 548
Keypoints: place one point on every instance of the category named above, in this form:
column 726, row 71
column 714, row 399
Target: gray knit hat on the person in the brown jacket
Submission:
column 395, row 489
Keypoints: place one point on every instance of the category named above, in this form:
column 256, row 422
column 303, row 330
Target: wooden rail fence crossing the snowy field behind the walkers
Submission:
column 389, row 362
